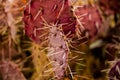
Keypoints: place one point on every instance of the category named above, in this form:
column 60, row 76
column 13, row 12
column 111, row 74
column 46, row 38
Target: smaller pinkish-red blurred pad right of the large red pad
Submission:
column 90, row 19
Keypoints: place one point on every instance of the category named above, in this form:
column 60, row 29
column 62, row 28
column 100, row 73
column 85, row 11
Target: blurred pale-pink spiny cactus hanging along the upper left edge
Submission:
column 9, row 26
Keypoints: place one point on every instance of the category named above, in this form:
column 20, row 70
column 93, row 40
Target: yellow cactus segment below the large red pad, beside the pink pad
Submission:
column 40, row 61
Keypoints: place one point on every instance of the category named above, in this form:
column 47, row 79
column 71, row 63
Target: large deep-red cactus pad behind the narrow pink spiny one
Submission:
column 40, row 12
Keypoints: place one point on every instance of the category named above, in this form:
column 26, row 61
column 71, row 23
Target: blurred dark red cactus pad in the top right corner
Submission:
column 110, row 6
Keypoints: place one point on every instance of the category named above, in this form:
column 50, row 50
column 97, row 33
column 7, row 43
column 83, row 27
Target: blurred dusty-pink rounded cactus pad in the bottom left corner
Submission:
column 10, row 71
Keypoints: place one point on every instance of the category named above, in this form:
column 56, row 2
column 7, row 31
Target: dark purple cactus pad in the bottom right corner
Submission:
column 114, row 73
